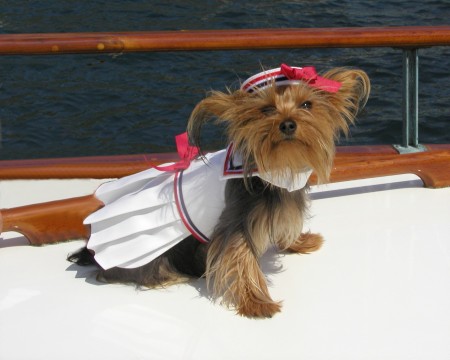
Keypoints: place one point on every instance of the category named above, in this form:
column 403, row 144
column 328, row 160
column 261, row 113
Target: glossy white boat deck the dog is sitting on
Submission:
column 378, row 289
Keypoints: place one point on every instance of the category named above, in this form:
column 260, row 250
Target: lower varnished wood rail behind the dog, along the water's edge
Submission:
column 351, row 163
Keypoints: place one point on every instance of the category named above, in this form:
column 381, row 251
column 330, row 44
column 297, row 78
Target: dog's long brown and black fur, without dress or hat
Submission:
column 258, row 214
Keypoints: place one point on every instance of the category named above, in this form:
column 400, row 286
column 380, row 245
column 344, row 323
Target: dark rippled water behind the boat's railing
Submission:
column 77, row 105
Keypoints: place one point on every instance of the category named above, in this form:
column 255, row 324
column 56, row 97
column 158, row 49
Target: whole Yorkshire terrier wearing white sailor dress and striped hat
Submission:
column 215, row 215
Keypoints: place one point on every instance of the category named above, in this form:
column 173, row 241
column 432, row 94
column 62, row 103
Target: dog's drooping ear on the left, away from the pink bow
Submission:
column 218, row 106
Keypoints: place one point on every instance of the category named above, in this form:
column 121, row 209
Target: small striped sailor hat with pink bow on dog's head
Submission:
column 286, row 75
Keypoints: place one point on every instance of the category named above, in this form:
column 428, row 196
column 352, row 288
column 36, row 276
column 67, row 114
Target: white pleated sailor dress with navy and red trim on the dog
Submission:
column 147, row 213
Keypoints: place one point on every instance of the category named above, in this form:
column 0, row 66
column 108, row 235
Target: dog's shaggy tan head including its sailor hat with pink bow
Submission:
column 286, row 120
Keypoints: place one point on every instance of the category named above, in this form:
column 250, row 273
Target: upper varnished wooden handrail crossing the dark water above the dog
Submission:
column 198, row 40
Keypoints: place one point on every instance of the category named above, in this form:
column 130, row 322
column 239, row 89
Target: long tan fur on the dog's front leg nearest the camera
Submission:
column 233, row 272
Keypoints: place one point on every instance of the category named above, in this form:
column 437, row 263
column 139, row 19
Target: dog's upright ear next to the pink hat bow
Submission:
column 351, row 97
